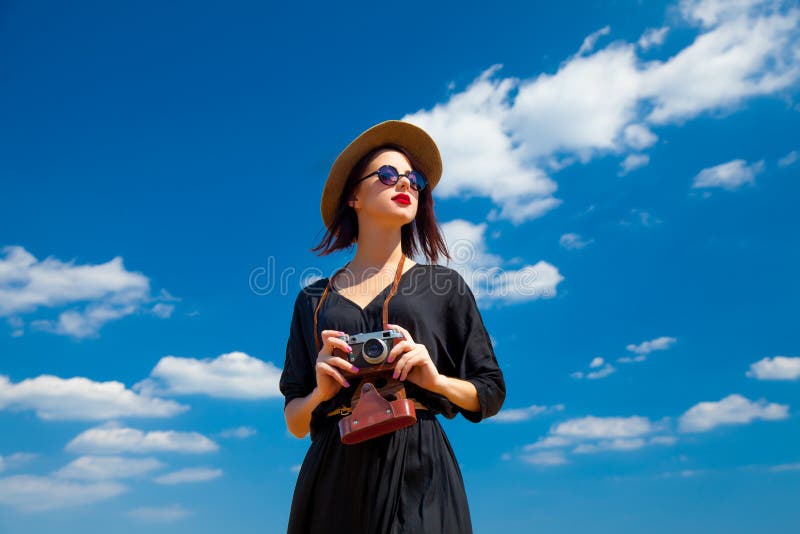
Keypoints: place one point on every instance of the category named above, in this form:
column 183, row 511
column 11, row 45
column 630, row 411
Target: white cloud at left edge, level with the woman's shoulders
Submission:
column 97, row 293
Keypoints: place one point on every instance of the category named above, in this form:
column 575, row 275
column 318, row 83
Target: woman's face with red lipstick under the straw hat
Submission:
column 378, row 203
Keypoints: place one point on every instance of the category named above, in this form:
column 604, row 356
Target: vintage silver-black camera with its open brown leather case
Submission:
column 380, row 405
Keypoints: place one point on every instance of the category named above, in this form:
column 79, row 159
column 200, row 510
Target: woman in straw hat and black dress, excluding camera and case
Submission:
column 378, row 196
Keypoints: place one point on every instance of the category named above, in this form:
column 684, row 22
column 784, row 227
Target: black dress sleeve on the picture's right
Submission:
column 474, row 353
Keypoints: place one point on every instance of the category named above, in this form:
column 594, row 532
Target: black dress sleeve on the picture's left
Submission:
column 298, row 378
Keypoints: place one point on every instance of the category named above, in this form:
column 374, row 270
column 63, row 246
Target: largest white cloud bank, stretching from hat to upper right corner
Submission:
column 502, row 137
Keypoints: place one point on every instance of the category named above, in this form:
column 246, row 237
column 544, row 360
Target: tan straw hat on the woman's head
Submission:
column 413, row 138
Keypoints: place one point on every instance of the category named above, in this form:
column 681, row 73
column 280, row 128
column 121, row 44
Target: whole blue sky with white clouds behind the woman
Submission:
column 160, row 165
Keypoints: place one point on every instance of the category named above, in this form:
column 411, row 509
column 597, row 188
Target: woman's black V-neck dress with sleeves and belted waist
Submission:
column 408, row 480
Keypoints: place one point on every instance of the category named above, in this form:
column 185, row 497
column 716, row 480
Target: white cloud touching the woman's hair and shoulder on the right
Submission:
column 483, row 272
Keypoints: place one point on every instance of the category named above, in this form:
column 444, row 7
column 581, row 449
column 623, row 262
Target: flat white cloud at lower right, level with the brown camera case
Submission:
column 733, row 409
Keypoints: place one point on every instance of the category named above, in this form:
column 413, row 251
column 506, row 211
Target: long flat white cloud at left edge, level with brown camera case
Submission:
column 78, row 398
